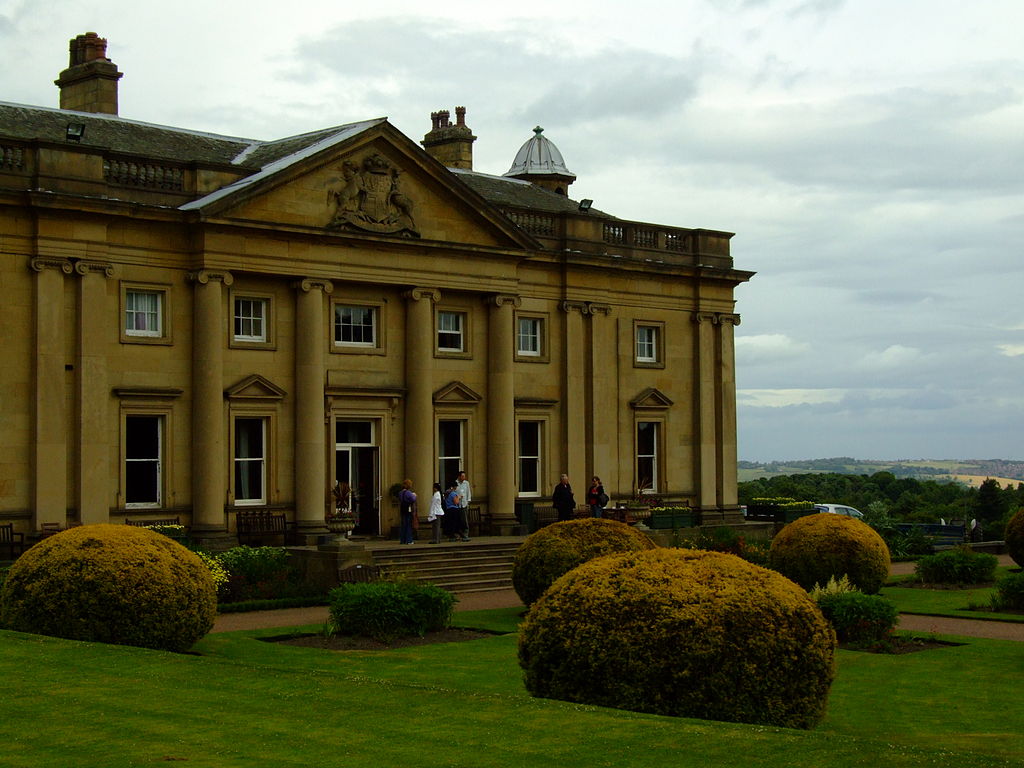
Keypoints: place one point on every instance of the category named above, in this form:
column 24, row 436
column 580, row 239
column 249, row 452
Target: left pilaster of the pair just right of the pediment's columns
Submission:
column 574, row 415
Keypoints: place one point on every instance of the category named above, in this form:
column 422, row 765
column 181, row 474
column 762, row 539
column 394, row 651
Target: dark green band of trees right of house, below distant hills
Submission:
column 905, row 499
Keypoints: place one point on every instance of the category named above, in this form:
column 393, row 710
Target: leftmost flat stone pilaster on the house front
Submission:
column 50, row 487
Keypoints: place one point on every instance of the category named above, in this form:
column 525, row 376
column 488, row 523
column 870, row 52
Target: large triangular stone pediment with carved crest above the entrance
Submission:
column 367, row 181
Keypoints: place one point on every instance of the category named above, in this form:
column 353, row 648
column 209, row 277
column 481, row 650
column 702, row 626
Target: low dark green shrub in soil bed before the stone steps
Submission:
column 386, row 611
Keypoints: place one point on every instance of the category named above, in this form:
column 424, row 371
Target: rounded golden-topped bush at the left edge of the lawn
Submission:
column 111, row 584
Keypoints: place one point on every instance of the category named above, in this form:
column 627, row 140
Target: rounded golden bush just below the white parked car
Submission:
column 814, row 549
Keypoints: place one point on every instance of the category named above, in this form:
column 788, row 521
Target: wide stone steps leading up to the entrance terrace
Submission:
column 460, row 568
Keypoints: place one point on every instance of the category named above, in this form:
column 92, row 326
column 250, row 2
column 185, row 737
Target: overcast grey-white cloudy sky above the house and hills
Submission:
column 869, row 155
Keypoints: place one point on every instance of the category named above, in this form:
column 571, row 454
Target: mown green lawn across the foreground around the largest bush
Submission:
column 247, row 703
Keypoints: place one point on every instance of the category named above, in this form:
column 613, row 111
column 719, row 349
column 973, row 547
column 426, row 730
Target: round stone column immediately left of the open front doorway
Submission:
column 311, row 431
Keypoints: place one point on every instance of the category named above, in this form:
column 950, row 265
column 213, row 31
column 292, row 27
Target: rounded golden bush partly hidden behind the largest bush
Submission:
column 558, row 549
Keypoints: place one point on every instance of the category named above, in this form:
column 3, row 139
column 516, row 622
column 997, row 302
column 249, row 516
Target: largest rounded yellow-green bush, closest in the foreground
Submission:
column 688, row 633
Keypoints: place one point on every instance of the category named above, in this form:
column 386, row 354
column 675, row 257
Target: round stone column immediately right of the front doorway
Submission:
column 419, row 389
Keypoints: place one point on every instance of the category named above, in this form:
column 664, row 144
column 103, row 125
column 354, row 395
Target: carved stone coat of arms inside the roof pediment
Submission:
column 369, row 197
